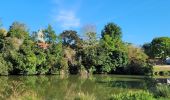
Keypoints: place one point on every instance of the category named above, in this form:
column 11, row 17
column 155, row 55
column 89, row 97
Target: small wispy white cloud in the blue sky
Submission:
column 67, row 19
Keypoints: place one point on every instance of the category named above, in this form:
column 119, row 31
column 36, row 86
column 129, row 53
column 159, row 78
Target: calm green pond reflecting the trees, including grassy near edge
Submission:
column 67, row 88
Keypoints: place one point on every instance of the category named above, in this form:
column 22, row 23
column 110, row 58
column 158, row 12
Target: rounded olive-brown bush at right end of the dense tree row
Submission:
column 137, row 61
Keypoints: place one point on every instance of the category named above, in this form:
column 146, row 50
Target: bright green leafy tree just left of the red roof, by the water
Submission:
column 28, row 58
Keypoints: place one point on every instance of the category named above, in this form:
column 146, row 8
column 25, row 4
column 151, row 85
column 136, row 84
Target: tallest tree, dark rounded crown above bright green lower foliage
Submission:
column 111, row 53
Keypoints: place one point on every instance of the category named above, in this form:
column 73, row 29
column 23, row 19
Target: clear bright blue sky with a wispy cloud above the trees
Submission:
column 140, row 20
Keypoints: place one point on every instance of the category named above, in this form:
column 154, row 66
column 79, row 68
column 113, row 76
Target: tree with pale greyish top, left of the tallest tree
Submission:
column 88, row 52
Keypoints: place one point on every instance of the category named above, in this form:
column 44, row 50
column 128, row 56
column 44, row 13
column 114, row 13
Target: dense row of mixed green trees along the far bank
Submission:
column 68, row 53
